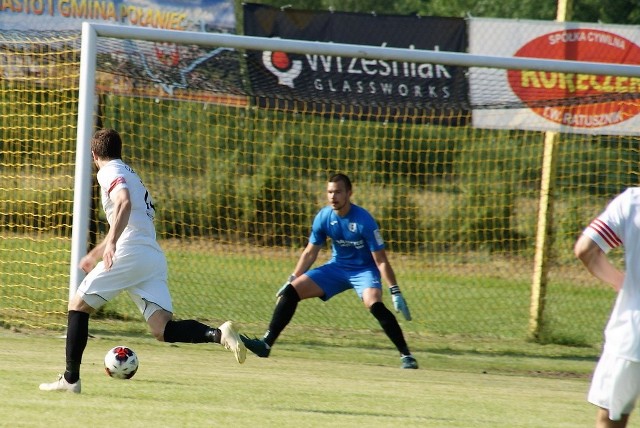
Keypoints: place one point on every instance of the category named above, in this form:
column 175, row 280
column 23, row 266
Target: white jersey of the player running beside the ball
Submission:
column 140, row 230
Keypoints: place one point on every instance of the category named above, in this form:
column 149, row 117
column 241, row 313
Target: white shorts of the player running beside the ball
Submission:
column 142, row 274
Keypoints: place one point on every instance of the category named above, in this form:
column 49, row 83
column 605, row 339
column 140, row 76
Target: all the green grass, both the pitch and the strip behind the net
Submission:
column 332, row 366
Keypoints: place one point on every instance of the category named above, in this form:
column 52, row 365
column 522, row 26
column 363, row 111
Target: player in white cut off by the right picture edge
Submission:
column 615, row 386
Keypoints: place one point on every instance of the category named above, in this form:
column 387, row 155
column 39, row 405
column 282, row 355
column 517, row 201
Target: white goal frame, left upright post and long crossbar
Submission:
column 87, row 85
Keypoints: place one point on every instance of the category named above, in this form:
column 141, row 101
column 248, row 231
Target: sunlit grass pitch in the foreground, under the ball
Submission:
column 298, row 386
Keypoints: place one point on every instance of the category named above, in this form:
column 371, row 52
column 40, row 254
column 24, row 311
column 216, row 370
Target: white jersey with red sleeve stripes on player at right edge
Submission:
column 619, row 225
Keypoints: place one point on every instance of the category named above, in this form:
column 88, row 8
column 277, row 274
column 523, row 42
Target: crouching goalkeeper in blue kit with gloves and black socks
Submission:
column 358, row 262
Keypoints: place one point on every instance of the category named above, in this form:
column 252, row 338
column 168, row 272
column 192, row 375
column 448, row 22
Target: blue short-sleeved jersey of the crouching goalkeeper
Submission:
column 353, row 237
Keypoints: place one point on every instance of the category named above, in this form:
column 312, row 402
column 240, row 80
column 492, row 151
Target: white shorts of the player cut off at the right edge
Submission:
column 615, row 385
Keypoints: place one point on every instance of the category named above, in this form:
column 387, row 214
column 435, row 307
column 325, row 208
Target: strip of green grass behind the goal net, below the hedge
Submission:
column 483, row 298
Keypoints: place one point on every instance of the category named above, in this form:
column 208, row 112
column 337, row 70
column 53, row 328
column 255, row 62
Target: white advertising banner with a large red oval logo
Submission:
column 553, row 101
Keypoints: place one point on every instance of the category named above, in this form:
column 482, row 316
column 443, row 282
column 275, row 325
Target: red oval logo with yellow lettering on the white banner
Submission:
column 575, row 99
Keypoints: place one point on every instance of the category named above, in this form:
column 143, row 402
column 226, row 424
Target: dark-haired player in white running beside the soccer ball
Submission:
column 132, row 261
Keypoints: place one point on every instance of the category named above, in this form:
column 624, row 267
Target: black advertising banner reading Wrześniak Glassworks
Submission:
column 405, row 90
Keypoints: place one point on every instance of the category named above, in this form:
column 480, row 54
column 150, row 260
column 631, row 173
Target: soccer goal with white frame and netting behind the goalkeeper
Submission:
column 236, row 148
